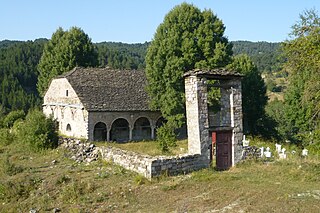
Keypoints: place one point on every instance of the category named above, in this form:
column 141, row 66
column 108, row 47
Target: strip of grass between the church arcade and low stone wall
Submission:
column 148, row 147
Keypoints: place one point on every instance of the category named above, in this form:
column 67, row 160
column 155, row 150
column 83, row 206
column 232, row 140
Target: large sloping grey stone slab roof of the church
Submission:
column 105, row 89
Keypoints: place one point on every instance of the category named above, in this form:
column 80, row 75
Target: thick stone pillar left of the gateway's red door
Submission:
column 197, row 115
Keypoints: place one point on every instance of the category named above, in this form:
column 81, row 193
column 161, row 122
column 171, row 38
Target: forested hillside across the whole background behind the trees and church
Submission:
column 19, row 60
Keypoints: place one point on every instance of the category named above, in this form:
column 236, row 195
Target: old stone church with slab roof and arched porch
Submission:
column 102, row 104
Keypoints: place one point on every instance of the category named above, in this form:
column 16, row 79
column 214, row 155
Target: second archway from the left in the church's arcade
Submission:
column 120, row 130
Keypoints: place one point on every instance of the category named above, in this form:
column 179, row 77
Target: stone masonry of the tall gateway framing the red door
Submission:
column 199, row 119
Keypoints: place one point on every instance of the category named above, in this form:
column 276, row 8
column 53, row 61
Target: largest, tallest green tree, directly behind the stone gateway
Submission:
column 187, row 39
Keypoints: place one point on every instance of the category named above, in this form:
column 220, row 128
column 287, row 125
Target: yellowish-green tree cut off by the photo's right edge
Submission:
column 302, row 98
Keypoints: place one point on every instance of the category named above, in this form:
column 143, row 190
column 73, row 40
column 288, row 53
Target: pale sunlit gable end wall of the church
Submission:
column 62, row 102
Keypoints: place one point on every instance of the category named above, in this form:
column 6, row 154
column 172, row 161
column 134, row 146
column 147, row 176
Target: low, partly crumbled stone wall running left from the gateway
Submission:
column 145, row 165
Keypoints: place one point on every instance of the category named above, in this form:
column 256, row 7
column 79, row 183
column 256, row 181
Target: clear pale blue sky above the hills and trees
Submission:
column 136, row 21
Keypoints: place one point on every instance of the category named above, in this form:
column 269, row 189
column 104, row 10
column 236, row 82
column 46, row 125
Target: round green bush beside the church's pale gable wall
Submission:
column 38, row 132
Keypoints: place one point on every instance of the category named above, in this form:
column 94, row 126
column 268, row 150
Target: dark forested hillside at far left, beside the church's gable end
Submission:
column 18, row 74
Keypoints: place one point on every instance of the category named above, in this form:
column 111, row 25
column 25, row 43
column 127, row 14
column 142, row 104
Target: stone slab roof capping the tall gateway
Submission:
column 219, row 73
